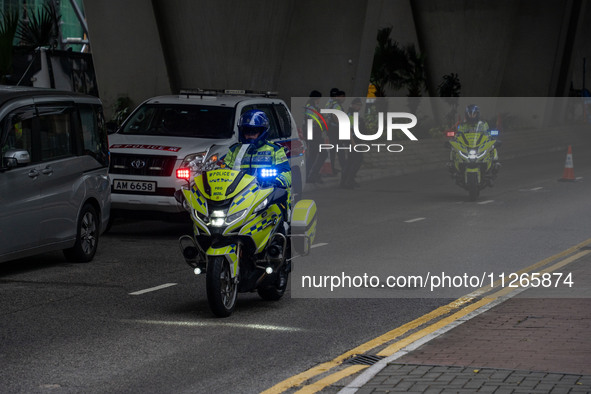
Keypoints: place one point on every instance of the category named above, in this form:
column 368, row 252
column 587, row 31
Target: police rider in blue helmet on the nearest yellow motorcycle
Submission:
column 254, row 153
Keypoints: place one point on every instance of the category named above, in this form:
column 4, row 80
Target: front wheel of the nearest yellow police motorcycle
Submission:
column 222, row 289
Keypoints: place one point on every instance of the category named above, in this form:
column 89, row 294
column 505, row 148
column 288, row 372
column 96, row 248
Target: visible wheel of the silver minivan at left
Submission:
column 86, row 237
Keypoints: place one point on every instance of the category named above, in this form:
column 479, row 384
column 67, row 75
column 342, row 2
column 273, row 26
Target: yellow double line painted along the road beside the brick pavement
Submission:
column 467, row 303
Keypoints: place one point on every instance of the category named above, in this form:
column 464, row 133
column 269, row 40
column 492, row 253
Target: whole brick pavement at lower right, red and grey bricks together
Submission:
column 527, row 344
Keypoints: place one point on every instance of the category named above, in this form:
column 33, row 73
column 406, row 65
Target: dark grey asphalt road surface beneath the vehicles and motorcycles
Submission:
column 77, row 327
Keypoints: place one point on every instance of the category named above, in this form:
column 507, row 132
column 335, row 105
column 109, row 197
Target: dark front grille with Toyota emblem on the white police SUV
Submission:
column 142, row 164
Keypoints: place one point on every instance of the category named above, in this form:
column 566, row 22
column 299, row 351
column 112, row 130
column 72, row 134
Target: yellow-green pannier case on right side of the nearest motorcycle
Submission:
column 303, row 226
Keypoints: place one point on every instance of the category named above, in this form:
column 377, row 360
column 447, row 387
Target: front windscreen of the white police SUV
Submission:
column 196, row 121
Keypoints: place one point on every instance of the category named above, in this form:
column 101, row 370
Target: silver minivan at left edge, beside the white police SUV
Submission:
column 54, row 185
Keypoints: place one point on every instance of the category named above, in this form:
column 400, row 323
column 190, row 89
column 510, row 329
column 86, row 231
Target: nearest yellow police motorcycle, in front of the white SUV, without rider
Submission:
column 239, row 239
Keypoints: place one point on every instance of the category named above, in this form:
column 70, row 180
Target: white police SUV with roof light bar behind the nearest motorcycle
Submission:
column 152, row 152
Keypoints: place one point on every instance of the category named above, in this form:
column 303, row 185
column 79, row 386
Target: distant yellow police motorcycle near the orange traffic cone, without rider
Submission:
column 472, row 163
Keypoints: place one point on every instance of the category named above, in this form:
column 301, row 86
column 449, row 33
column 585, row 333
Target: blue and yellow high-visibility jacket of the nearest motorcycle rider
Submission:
column 246, row 157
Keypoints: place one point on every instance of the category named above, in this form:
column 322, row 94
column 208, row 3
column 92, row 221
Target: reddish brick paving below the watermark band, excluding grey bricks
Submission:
column 521, row 333
